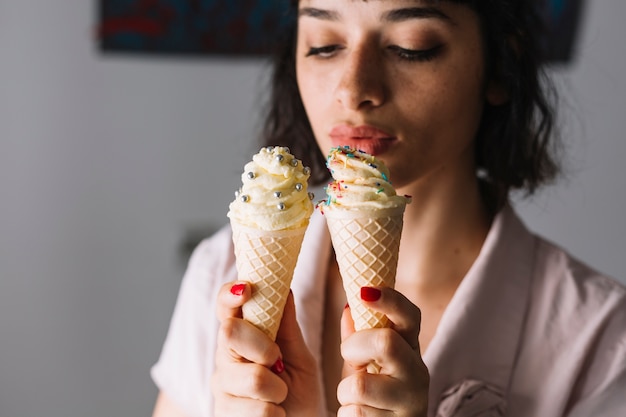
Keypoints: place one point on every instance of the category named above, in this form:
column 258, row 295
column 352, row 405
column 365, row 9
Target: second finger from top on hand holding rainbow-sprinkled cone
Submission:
column 384, row 347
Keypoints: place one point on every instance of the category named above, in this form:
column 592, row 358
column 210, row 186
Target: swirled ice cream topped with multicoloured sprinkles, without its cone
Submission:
column 360, row 182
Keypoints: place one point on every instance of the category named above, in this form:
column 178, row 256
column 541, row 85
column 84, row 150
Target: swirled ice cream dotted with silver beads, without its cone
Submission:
column 274, row 194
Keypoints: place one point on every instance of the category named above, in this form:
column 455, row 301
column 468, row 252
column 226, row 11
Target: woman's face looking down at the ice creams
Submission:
column 400, row 79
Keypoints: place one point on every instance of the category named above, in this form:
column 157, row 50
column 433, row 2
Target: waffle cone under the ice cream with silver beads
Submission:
column 266, row 259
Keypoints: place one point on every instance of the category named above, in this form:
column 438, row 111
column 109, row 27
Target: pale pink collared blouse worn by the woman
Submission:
column 529, row 332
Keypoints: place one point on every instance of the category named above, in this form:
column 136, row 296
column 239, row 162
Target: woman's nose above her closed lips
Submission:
column 361, row 83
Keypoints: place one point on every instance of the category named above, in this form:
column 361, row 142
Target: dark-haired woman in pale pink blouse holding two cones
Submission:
column 488, row 319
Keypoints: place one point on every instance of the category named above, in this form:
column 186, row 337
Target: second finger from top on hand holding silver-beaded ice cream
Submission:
column 239, row 340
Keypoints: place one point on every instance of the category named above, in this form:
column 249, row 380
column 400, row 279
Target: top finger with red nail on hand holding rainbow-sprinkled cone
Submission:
column 405, row 316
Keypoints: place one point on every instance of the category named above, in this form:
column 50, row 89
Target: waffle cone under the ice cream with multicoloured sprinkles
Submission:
column 366, row 247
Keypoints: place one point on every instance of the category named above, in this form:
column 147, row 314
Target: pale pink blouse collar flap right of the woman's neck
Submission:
column 478, row 335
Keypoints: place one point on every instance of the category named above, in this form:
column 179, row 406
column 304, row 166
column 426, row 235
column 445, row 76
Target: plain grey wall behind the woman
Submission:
column 106, row 162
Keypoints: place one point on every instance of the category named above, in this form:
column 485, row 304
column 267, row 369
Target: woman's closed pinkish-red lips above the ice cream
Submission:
column 367, row 138
